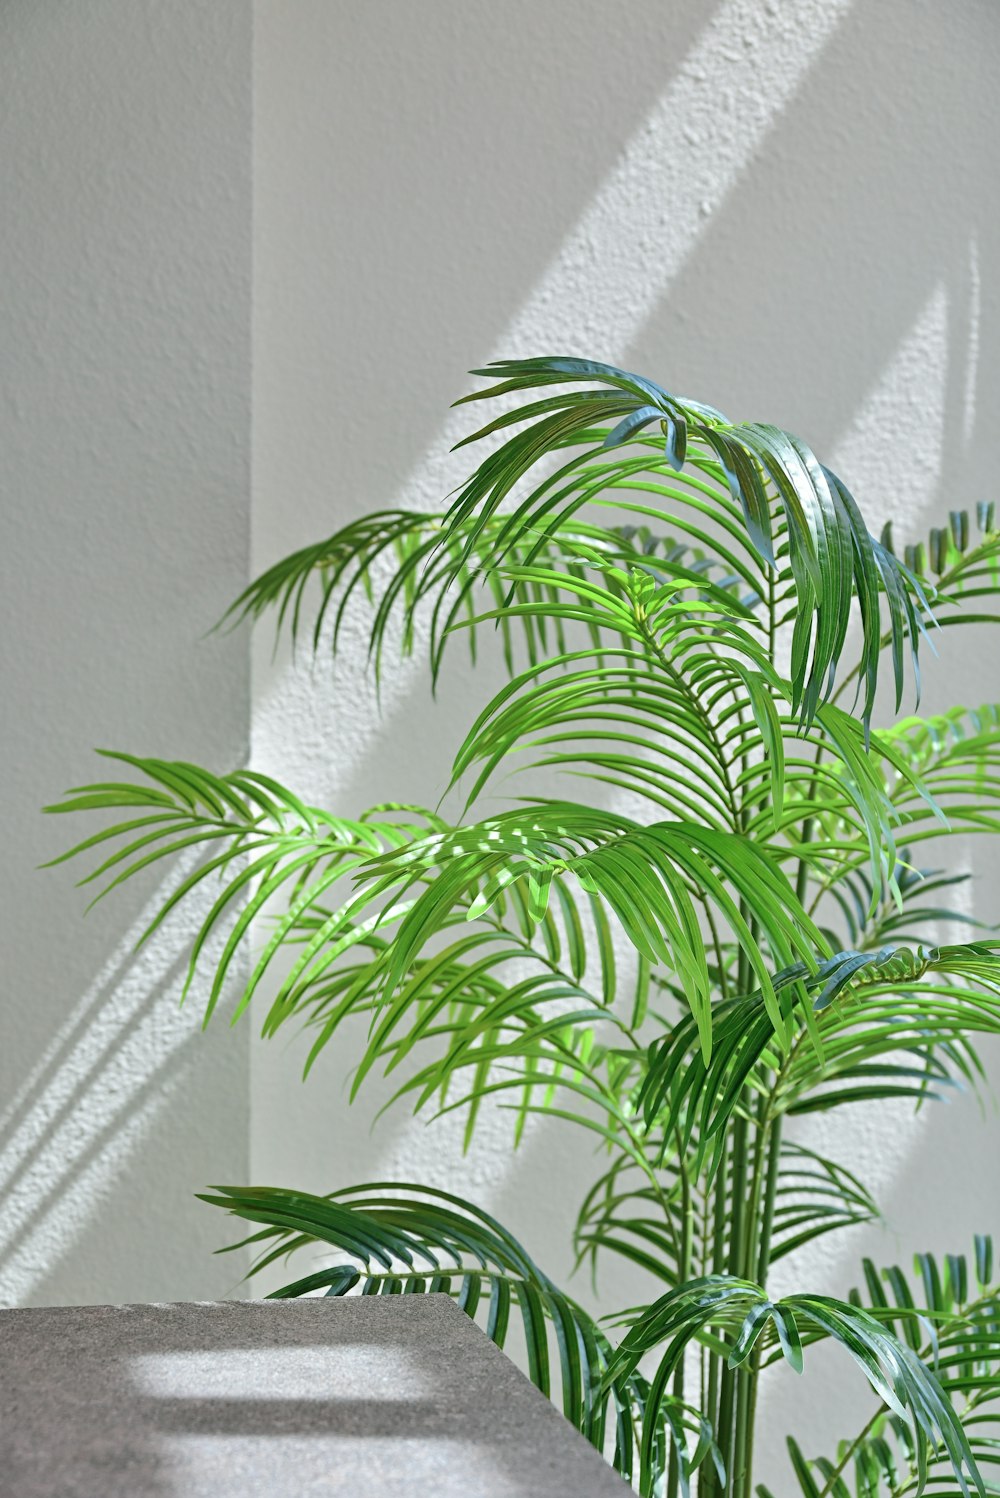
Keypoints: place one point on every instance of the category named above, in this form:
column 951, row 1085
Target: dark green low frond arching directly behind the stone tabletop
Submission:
column 408, row 1240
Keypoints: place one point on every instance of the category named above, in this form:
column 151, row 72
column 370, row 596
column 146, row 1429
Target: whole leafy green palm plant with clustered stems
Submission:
column 733, row 930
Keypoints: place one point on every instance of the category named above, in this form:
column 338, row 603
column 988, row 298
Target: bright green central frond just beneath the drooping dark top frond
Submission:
column 662, row 681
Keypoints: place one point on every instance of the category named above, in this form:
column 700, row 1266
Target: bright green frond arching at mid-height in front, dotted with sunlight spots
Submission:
column 644, row 876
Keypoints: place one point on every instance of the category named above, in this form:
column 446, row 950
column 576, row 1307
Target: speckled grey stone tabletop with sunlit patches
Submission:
column 255, row 1400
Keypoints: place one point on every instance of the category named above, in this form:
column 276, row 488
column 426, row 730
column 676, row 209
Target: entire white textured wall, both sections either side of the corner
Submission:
column 784, row 209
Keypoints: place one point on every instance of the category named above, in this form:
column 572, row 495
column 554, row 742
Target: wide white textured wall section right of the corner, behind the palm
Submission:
column 787, row 210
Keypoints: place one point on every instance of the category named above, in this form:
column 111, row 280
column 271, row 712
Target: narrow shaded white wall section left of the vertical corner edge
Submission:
column 125, row 428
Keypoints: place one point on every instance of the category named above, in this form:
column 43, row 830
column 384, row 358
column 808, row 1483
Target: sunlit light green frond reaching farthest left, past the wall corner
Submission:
column 462, row 1000
